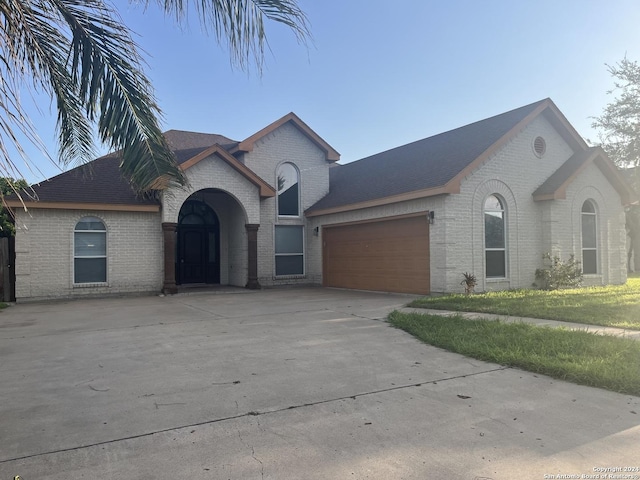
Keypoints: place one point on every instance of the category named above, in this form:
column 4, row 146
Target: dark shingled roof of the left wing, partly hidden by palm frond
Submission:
column 100, row 181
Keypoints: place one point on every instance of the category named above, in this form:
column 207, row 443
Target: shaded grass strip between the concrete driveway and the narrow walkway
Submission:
column 607, row 362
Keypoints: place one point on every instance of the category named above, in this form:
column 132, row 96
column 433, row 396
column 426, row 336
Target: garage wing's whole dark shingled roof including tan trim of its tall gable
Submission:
column 434, row 165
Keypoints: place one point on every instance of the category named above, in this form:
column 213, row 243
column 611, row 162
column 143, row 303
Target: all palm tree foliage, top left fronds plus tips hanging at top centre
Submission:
column 80, row 53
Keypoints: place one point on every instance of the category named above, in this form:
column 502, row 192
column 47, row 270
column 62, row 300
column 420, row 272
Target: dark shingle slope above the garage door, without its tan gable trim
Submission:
column 428, row 163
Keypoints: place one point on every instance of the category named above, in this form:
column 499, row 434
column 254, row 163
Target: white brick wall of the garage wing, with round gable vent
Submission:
column 514, row 173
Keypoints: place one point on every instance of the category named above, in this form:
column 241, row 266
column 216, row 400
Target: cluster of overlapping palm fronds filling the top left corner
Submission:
column 80, row 53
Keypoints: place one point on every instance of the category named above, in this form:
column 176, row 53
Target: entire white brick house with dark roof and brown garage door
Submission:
column 488, row 198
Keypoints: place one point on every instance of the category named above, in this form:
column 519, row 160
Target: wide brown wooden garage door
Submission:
column 387, row 256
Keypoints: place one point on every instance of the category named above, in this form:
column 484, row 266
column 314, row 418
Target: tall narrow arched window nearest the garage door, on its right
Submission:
column 494, row 238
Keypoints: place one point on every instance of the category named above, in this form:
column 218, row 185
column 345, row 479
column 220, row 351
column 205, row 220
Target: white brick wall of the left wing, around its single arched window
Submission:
column 44, row 253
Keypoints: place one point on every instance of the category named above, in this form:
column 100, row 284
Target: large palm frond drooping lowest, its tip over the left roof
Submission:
column 106, row 69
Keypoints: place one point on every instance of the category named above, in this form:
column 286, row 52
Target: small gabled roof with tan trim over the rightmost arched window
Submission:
column 555, row 187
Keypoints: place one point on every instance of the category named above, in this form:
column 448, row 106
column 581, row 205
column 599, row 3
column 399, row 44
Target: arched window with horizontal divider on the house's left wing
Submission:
column 90, row 251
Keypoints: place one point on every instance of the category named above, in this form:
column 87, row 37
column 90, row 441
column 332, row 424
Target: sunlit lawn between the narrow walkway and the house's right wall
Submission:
column 613, row 306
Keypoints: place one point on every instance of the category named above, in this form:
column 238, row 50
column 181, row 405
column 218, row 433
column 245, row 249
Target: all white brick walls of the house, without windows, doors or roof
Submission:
column 135, row 249
